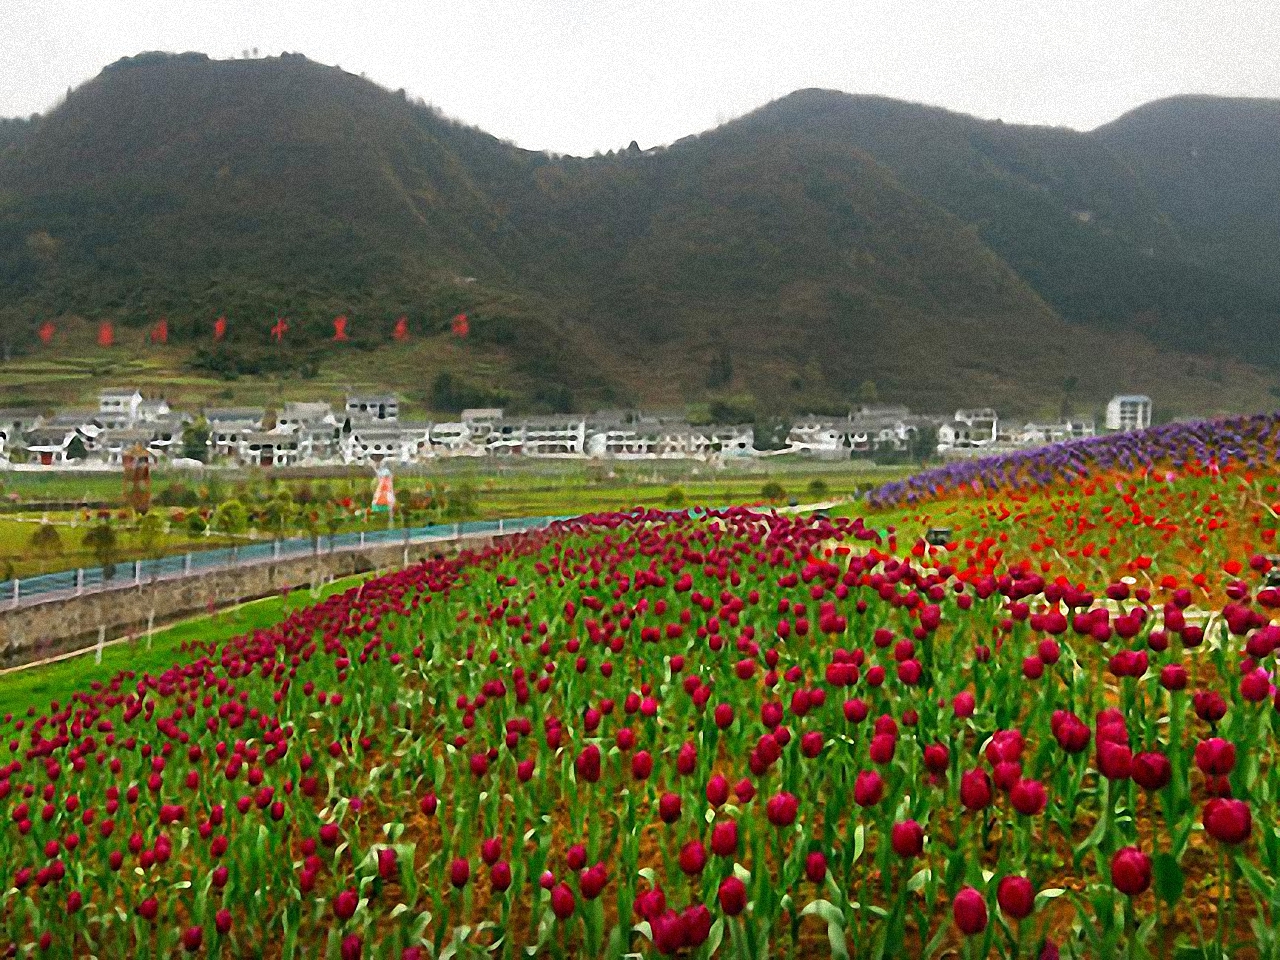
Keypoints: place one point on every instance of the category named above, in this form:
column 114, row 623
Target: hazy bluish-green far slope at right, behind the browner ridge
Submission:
column 1084, row 220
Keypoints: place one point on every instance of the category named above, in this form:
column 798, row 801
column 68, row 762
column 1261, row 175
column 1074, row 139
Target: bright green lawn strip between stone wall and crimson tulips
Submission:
column 38, row 687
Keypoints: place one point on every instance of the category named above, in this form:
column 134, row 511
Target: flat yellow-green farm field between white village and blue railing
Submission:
column 337, row 504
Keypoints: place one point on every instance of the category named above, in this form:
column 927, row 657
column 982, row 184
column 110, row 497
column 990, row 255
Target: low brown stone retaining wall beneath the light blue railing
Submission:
column 40, row 630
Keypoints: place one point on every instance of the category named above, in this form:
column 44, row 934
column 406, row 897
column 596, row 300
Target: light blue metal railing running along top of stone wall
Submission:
column 72, row 583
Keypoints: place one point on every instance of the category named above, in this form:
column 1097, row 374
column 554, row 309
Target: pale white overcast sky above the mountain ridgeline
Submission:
column 578, row 76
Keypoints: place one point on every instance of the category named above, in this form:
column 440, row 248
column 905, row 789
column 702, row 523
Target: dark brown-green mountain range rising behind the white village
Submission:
column 819, row 250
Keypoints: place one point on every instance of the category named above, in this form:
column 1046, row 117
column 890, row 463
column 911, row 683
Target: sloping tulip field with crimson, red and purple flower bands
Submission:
column 724, row 733
